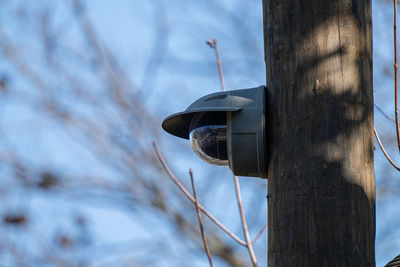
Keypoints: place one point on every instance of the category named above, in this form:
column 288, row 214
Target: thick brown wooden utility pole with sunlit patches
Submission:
column 321, row 190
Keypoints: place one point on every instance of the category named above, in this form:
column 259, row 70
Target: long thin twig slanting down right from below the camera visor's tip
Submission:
column 191, row 198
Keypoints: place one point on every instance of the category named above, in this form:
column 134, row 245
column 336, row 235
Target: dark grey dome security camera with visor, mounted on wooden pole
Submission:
column 226, row 128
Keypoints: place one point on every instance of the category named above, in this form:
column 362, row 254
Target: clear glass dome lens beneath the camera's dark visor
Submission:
column 210, row 143
